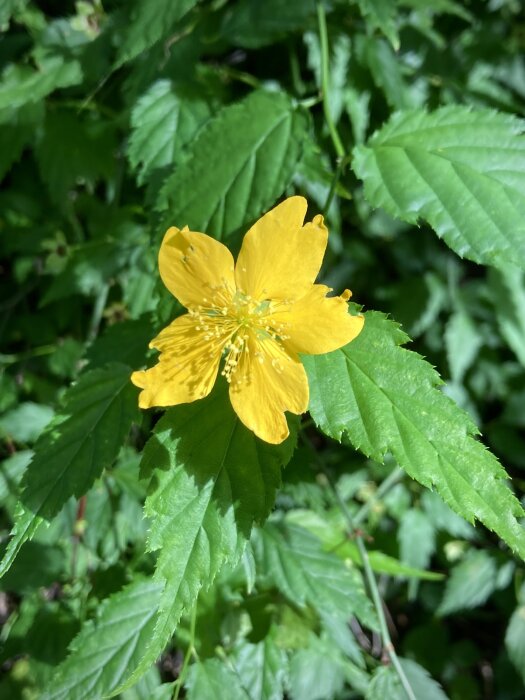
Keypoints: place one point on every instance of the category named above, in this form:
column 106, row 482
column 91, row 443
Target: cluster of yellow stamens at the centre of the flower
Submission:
column 237, row 326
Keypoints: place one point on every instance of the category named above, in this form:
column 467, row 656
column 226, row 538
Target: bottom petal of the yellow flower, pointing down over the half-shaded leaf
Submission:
column 268, row 381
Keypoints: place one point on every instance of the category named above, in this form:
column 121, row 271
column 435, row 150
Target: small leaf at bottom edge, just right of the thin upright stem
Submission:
column 208, row 681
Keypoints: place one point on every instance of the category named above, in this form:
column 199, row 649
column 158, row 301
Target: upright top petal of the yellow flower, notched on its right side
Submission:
column 280, row 258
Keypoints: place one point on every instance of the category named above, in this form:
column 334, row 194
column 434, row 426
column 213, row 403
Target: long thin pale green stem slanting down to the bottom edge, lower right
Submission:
column 374, row 592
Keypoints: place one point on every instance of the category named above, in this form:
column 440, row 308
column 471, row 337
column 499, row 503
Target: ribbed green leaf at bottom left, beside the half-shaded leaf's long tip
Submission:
column 108, row 646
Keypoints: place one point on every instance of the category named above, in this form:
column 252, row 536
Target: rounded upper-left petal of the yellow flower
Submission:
column 195, row 267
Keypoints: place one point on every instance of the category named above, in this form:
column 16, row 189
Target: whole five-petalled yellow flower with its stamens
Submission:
column 258, row 314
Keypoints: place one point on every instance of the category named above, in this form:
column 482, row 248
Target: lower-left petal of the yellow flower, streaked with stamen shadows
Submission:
column 186, row 370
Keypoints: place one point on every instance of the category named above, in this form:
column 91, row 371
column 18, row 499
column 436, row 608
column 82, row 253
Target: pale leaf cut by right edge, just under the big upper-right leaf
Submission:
column 507, row 292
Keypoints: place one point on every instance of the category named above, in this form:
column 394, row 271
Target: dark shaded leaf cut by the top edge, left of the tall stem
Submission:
column 252, row 24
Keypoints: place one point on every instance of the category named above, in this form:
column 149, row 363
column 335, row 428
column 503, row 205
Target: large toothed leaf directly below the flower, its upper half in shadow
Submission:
column 211, row 479
